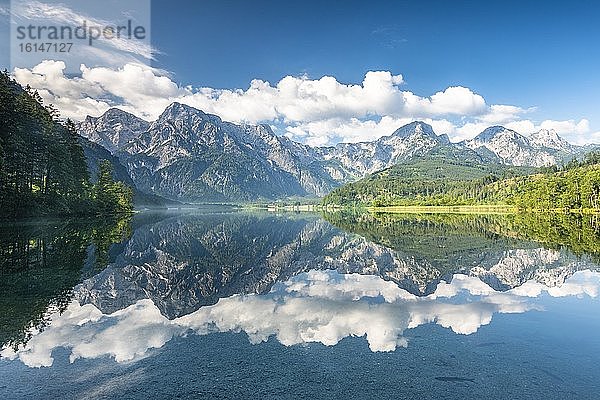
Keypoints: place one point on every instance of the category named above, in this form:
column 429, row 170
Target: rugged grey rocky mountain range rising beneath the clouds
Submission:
column 188, row 155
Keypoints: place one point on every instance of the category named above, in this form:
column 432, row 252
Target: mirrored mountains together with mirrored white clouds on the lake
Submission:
column 302, row 279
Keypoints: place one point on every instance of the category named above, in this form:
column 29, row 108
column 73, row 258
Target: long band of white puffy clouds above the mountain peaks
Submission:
column 320, row 111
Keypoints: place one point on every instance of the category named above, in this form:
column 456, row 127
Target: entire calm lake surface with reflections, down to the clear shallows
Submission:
column 238, row 305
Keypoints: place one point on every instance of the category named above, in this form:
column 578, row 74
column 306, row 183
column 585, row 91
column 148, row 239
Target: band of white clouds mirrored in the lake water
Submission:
column 318, row 306
